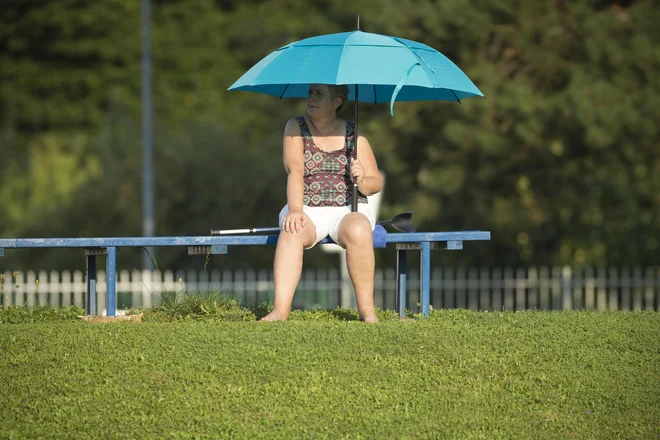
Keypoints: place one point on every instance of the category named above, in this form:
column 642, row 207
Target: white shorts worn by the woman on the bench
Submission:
column 327, row 218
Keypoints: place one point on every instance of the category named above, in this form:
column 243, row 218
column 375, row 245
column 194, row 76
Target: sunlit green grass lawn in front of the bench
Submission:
column 459, row 374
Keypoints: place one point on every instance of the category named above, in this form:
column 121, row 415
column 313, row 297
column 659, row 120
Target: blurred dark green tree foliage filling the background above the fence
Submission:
column 560, row 160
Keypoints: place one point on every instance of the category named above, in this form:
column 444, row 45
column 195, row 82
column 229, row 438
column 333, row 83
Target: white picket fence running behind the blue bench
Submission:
column 556, row 288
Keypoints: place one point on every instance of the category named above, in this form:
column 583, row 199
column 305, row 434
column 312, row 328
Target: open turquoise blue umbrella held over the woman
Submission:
column 376, row 68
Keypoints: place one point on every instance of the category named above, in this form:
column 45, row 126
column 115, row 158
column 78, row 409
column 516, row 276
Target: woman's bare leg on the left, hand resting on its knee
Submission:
column 287, row 268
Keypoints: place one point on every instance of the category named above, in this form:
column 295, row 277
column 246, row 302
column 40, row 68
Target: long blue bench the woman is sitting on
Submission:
column 404, row 241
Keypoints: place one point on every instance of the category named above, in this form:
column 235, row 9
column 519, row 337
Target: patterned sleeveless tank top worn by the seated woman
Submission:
column 327, row 179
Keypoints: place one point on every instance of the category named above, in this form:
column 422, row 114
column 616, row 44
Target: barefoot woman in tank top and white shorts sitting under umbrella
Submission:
column 318, row 158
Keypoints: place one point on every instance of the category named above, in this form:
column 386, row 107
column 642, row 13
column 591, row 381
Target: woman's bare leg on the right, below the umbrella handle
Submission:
column 356, row 236
